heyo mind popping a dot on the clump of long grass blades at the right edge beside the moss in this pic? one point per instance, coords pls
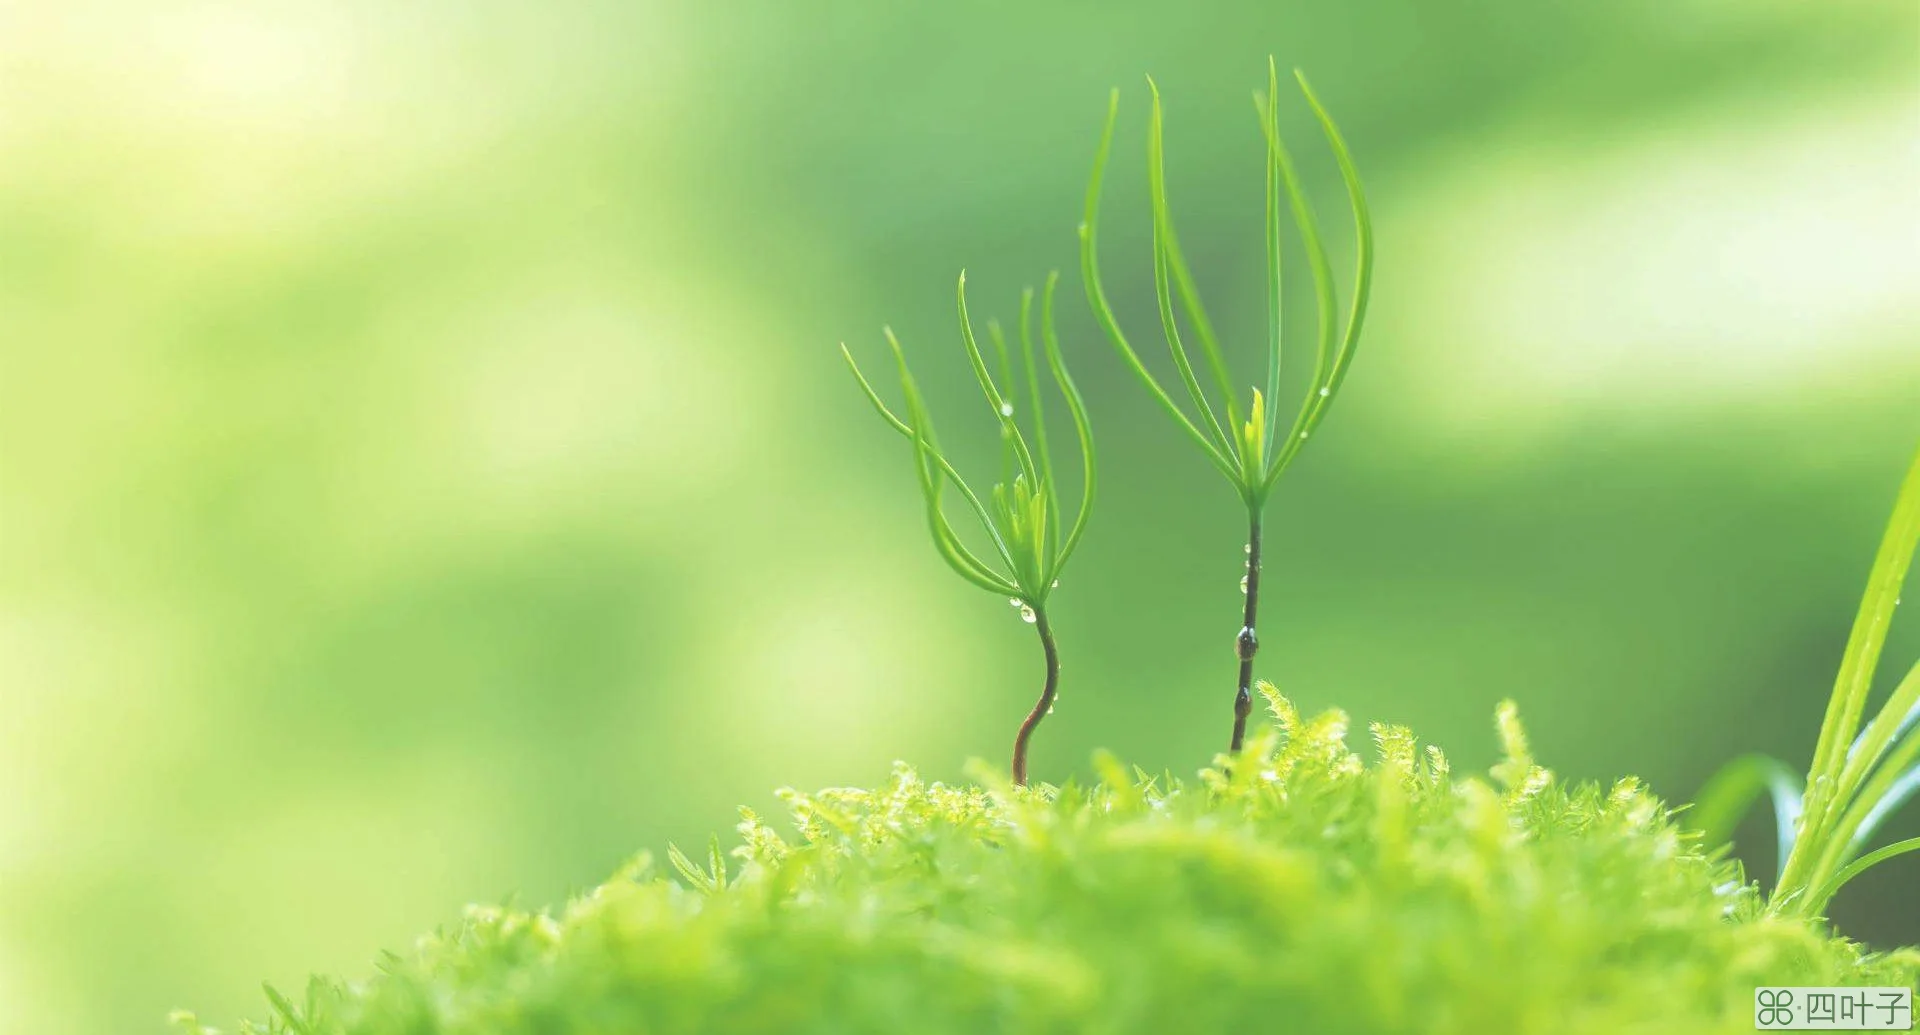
(1858, 777)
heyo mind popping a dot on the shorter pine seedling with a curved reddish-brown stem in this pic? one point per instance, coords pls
(1024, 521)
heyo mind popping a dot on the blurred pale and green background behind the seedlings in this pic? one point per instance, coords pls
(427, 471)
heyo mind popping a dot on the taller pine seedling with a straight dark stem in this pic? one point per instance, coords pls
(1251, 454)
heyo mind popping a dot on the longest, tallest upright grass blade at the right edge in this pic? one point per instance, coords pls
(1863, 652)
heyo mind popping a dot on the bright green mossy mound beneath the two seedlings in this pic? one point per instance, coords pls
(1301, 890)
